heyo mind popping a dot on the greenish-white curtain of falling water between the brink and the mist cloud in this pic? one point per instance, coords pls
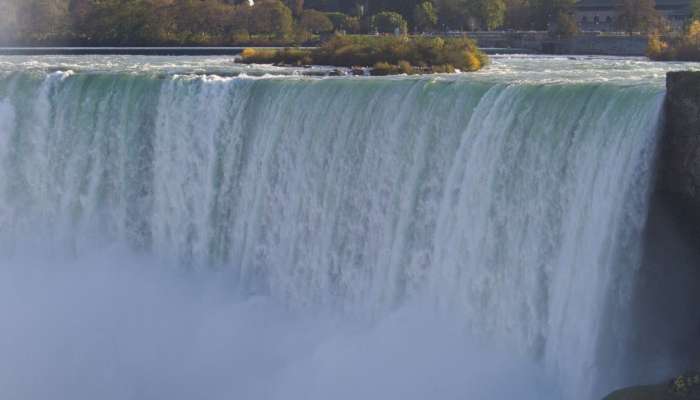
(515, 208)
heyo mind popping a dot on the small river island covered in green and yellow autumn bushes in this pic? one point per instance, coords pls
(385, 55)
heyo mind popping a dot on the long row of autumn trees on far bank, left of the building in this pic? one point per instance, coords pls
(220, 22)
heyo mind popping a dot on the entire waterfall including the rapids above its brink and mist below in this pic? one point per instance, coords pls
(181, 232)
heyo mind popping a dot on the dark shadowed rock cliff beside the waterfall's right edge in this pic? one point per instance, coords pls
(668, 283)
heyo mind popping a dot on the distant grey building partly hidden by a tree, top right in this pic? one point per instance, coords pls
(601, 15)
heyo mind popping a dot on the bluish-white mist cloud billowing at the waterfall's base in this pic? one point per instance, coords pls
(119, 326)
